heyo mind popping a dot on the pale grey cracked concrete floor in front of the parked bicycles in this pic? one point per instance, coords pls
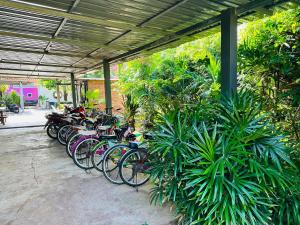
(40, 185)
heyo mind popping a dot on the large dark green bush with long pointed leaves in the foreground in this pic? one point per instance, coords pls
(230, 169)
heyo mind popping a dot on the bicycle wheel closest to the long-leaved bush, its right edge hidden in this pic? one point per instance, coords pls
(133, 167)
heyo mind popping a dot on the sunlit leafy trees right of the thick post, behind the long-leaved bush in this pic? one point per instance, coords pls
(270, 64)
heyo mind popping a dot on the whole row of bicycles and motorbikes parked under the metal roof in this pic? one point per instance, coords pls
(99, 141)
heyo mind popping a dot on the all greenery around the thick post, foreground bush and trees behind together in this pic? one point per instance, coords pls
(229, 163)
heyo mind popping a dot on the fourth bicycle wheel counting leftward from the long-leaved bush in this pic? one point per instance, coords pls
(82, 153)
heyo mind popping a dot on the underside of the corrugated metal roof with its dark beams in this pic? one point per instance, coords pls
(53, 38)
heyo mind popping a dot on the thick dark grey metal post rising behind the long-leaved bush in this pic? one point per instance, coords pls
(228, 52)
